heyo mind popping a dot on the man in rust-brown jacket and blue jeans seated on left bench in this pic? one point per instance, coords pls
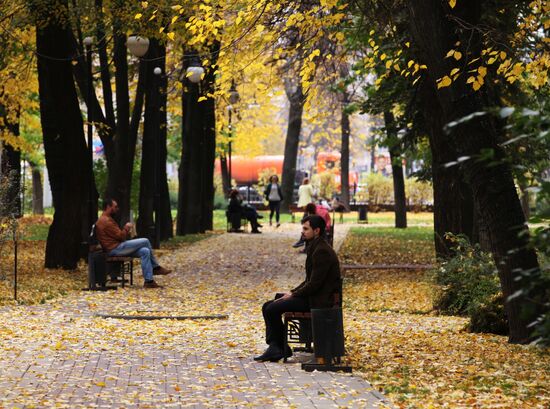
(114, 242)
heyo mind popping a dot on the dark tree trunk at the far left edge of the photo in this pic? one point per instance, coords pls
(11, 167)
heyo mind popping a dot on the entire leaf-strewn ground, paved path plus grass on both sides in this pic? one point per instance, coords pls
(393, 337)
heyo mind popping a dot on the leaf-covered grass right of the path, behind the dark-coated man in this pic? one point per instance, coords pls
(418, 358)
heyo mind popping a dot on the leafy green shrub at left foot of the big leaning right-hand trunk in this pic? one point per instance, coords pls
(468, 285)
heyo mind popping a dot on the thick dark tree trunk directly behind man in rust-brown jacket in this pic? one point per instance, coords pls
(67, 159)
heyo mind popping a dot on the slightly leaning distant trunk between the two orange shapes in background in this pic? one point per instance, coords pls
(296, 99)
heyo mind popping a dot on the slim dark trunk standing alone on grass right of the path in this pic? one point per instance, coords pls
(399, 199)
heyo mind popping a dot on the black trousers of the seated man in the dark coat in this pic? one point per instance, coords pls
(273, 311)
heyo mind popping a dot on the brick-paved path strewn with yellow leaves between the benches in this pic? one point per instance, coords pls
(62, 355)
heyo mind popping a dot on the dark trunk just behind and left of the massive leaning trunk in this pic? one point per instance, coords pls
(453, 198)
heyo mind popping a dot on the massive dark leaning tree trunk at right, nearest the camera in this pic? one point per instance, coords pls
(492, 183)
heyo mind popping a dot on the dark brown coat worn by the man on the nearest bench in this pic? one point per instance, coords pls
(322, 275)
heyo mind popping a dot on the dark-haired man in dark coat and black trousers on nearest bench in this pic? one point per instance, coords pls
(317, 291)
